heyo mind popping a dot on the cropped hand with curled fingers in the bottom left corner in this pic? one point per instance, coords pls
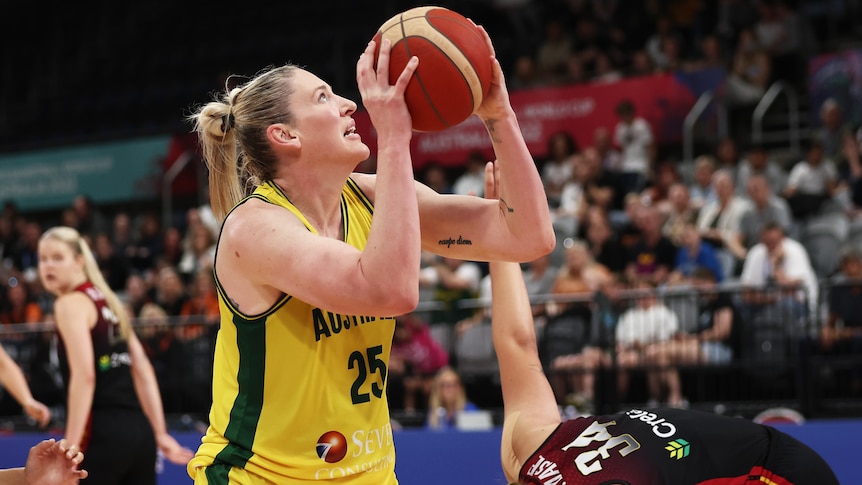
(54, 463)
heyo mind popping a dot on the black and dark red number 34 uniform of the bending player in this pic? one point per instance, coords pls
(675, 447)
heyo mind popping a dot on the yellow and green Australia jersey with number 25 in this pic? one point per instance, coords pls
(299, 393)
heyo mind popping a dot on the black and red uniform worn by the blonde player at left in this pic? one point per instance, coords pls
(119, 445)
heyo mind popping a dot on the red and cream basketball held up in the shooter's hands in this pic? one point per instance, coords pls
(454, 71)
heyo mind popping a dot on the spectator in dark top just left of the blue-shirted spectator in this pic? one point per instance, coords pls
(653, 257)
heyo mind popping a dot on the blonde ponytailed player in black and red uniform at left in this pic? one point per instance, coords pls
(114, 410)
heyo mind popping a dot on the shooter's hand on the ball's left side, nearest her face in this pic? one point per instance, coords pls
(384, 101)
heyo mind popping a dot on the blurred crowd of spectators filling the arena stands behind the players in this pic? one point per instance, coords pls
(631, 222)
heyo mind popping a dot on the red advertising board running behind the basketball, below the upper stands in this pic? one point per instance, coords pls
(664, 100)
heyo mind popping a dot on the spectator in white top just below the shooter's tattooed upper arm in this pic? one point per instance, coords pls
(452, 280)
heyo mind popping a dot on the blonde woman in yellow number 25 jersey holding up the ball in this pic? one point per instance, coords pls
(315, 264)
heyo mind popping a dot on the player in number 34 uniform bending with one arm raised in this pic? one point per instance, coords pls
(658, 446)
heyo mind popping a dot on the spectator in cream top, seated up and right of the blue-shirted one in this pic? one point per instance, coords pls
(718, 222)
